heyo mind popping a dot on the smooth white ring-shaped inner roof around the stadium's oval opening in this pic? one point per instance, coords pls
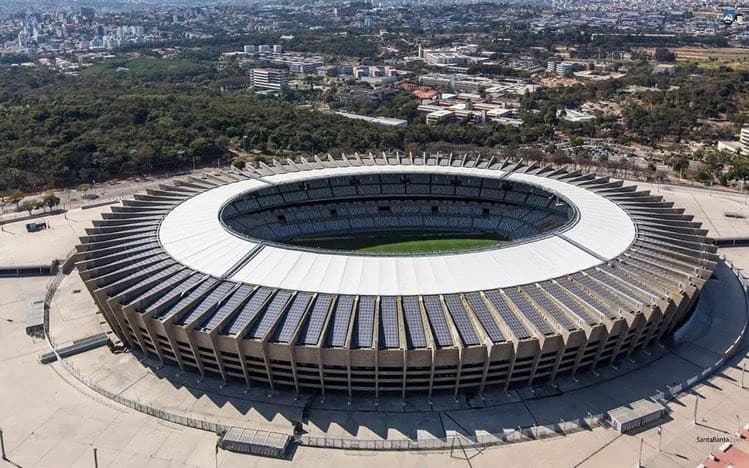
(193, 235)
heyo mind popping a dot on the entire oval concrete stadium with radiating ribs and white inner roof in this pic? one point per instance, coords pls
(394, 273)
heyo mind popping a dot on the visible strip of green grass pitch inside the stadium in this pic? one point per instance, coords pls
(406, 243)
